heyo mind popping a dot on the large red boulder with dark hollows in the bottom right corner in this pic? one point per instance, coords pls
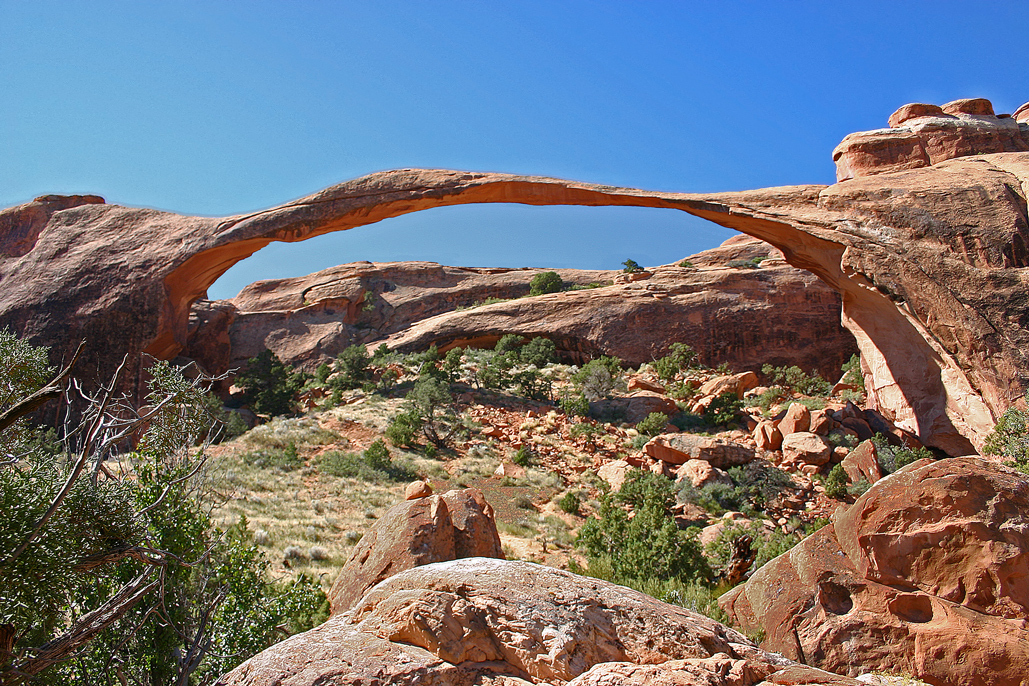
(924, 575)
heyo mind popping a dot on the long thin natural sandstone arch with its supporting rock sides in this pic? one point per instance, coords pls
(931, 264)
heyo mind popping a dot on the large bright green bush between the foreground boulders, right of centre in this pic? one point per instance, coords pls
(649, 546)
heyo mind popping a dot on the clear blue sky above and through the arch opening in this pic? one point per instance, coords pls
(219, 109)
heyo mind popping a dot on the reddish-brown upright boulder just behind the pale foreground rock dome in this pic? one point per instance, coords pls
(416, 532)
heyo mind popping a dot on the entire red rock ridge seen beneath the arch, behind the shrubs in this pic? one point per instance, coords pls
(778, 314)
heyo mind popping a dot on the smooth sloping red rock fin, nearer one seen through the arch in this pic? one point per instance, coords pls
(777, 315)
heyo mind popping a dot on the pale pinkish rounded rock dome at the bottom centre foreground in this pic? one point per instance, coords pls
(491, 622)
